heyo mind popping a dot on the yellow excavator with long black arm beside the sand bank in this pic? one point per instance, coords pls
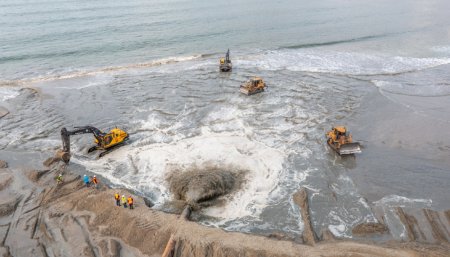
(103, 141)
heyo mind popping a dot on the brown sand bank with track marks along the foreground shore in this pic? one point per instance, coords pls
(41, 218)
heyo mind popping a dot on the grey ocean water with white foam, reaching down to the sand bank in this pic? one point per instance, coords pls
(150, 67)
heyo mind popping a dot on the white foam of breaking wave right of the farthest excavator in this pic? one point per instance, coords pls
(349, 63)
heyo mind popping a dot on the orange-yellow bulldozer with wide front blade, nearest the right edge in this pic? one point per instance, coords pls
(340, 140)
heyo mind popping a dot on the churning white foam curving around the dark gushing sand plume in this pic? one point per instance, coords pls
(154, 161)
